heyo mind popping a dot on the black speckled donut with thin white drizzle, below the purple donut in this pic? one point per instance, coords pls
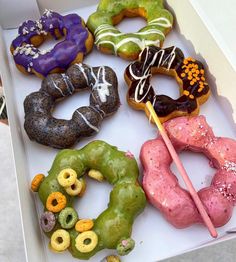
(42, 127)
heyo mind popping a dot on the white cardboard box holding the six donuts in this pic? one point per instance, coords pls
(127, 129)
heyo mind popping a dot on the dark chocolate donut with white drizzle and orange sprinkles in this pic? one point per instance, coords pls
(188, 72)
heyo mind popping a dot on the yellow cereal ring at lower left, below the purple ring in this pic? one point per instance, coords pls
(60, 240)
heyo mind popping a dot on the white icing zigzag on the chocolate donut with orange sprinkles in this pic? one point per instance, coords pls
(139, 90)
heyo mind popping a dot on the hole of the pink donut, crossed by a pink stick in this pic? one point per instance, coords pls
(198, 168)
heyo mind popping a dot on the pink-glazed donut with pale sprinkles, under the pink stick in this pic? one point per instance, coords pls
(161, 185)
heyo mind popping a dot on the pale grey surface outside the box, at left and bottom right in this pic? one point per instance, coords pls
(11, 238)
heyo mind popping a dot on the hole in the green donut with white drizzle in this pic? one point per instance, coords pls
(135, 24)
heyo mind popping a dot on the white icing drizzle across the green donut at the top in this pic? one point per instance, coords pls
(141, 43)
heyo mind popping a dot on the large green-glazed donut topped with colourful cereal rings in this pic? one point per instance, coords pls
(113, 226)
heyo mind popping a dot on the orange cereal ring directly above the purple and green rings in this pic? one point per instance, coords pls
(56, 201)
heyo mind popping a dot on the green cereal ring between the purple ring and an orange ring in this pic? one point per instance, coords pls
(68, 217)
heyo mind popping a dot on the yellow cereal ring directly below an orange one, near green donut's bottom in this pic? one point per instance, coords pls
(85, 242)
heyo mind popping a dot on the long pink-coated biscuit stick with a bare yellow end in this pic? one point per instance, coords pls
(182, 172)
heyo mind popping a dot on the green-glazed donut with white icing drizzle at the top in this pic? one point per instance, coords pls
(110, 12)
